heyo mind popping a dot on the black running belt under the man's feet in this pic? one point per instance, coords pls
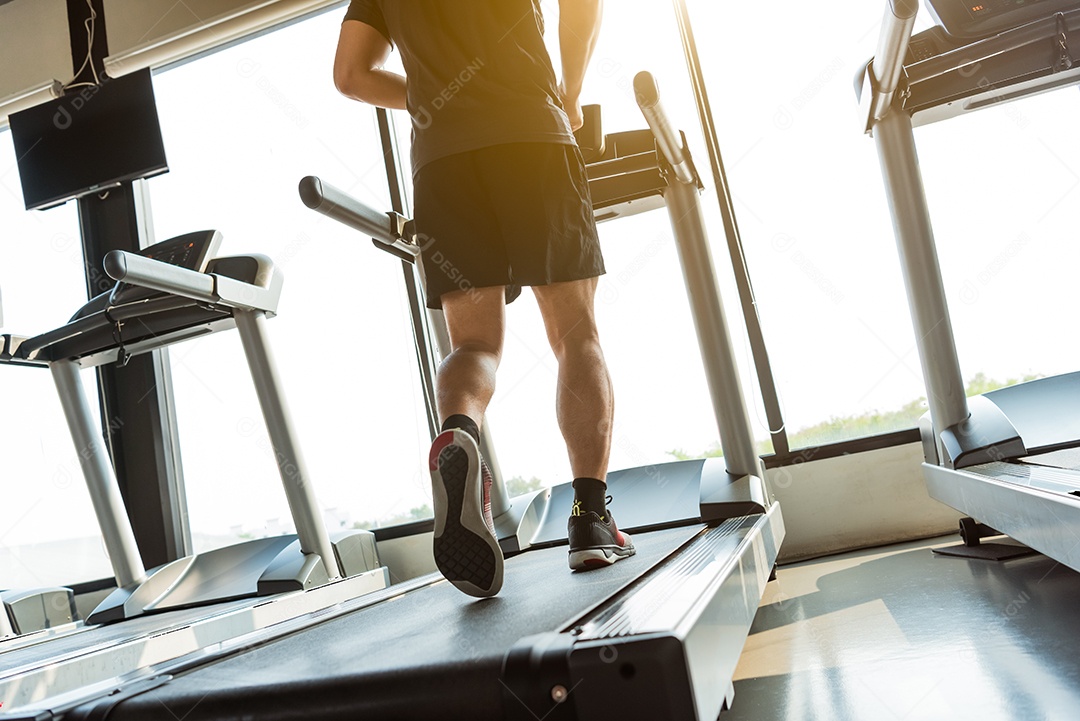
(434, 654)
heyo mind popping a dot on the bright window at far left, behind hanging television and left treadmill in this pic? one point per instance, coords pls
(49, 535)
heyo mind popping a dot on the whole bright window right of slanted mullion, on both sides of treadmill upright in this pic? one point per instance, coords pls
(818, 236)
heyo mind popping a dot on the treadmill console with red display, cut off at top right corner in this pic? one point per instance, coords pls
(971, 20)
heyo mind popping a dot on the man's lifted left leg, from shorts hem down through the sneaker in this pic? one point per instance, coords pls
(466, 550)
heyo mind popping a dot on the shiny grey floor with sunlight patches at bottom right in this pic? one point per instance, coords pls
(900, 633)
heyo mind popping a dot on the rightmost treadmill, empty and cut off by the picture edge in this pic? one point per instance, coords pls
(1010, 458)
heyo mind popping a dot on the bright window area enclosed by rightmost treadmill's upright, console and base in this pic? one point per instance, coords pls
(1003, 186)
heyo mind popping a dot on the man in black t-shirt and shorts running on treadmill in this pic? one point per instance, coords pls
(502, 202)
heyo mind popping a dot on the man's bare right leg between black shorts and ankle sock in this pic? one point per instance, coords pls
(585, 403)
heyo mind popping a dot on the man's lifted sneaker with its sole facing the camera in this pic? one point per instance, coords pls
(466, 549)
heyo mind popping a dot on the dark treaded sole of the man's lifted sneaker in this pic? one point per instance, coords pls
(466, 553)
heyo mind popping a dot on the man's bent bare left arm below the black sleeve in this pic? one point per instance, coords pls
(358, 67)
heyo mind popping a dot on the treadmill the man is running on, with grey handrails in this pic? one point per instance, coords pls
(659, 633)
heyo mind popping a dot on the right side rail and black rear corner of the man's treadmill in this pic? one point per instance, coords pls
(683, 627)
